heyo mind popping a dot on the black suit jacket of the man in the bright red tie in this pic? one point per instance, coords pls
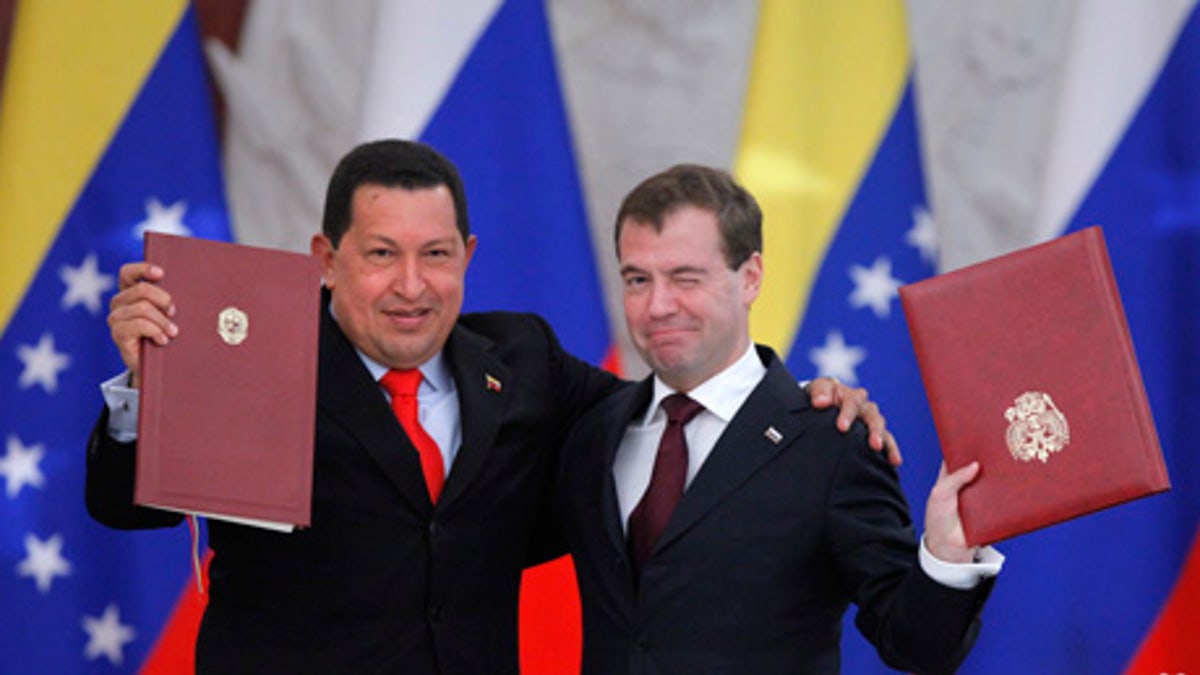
(383, 582)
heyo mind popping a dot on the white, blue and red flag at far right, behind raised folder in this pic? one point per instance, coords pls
(1084, 596)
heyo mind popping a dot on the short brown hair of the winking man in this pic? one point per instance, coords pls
(739, 217)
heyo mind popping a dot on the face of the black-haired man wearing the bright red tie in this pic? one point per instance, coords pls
(397, 279)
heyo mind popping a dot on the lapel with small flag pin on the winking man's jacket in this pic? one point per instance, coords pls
(763, 428)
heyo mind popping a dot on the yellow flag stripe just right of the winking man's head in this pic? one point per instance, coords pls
(825, 85)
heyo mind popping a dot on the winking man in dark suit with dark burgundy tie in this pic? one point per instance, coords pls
(739, 547)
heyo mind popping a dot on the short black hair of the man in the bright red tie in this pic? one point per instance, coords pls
(391, 164)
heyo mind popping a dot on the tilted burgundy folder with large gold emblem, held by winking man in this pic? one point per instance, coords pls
(1030, 369)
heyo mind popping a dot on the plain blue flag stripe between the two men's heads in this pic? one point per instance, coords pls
(505, 126)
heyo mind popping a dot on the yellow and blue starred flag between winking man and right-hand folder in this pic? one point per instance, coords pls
(830, 148)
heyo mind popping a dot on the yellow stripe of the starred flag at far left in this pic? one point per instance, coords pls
(75, 69)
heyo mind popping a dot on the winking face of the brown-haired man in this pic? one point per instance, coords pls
(687, 312)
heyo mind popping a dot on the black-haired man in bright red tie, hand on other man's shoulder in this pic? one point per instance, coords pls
(395, 575)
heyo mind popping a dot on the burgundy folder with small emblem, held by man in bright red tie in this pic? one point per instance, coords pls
(227, 409)
